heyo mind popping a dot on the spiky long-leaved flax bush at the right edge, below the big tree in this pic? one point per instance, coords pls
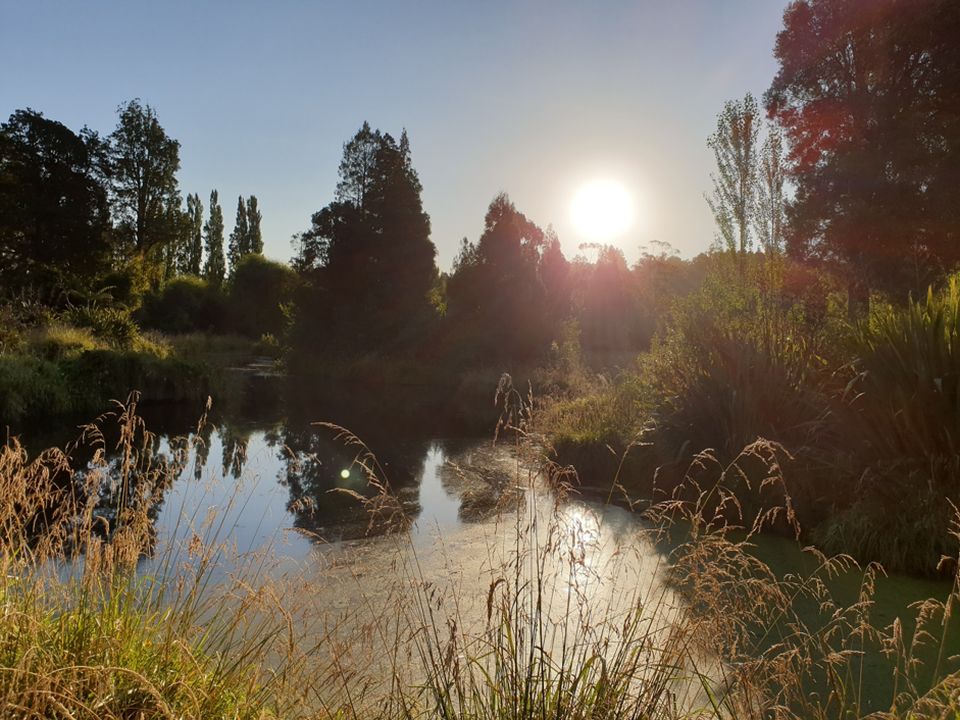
(901, 428)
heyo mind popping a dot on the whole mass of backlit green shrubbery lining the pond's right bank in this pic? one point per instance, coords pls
(869, 412)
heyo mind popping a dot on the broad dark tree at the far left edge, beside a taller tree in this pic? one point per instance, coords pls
(54, 214)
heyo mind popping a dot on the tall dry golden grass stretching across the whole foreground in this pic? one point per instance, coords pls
(568, 613)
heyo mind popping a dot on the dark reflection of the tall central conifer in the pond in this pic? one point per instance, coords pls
(316, 465)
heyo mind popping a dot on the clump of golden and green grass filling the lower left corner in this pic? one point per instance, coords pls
(106, 643)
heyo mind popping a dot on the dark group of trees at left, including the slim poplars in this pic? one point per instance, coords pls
(78, 211)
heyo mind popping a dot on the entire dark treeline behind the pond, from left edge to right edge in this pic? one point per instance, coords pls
(861, 121)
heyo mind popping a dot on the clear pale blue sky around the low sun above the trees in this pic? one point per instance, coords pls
(533, 98)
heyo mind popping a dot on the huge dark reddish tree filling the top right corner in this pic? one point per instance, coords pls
(867, 94)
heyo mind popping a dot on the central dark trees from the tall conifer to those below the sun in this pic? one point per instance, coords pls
(371, 285)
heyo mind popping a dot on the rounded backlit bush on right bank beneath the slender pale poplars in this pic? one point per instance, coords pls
(735, 365)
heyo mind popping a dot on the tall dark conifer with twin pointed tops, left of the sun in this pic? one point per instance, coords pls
(368, 254)
